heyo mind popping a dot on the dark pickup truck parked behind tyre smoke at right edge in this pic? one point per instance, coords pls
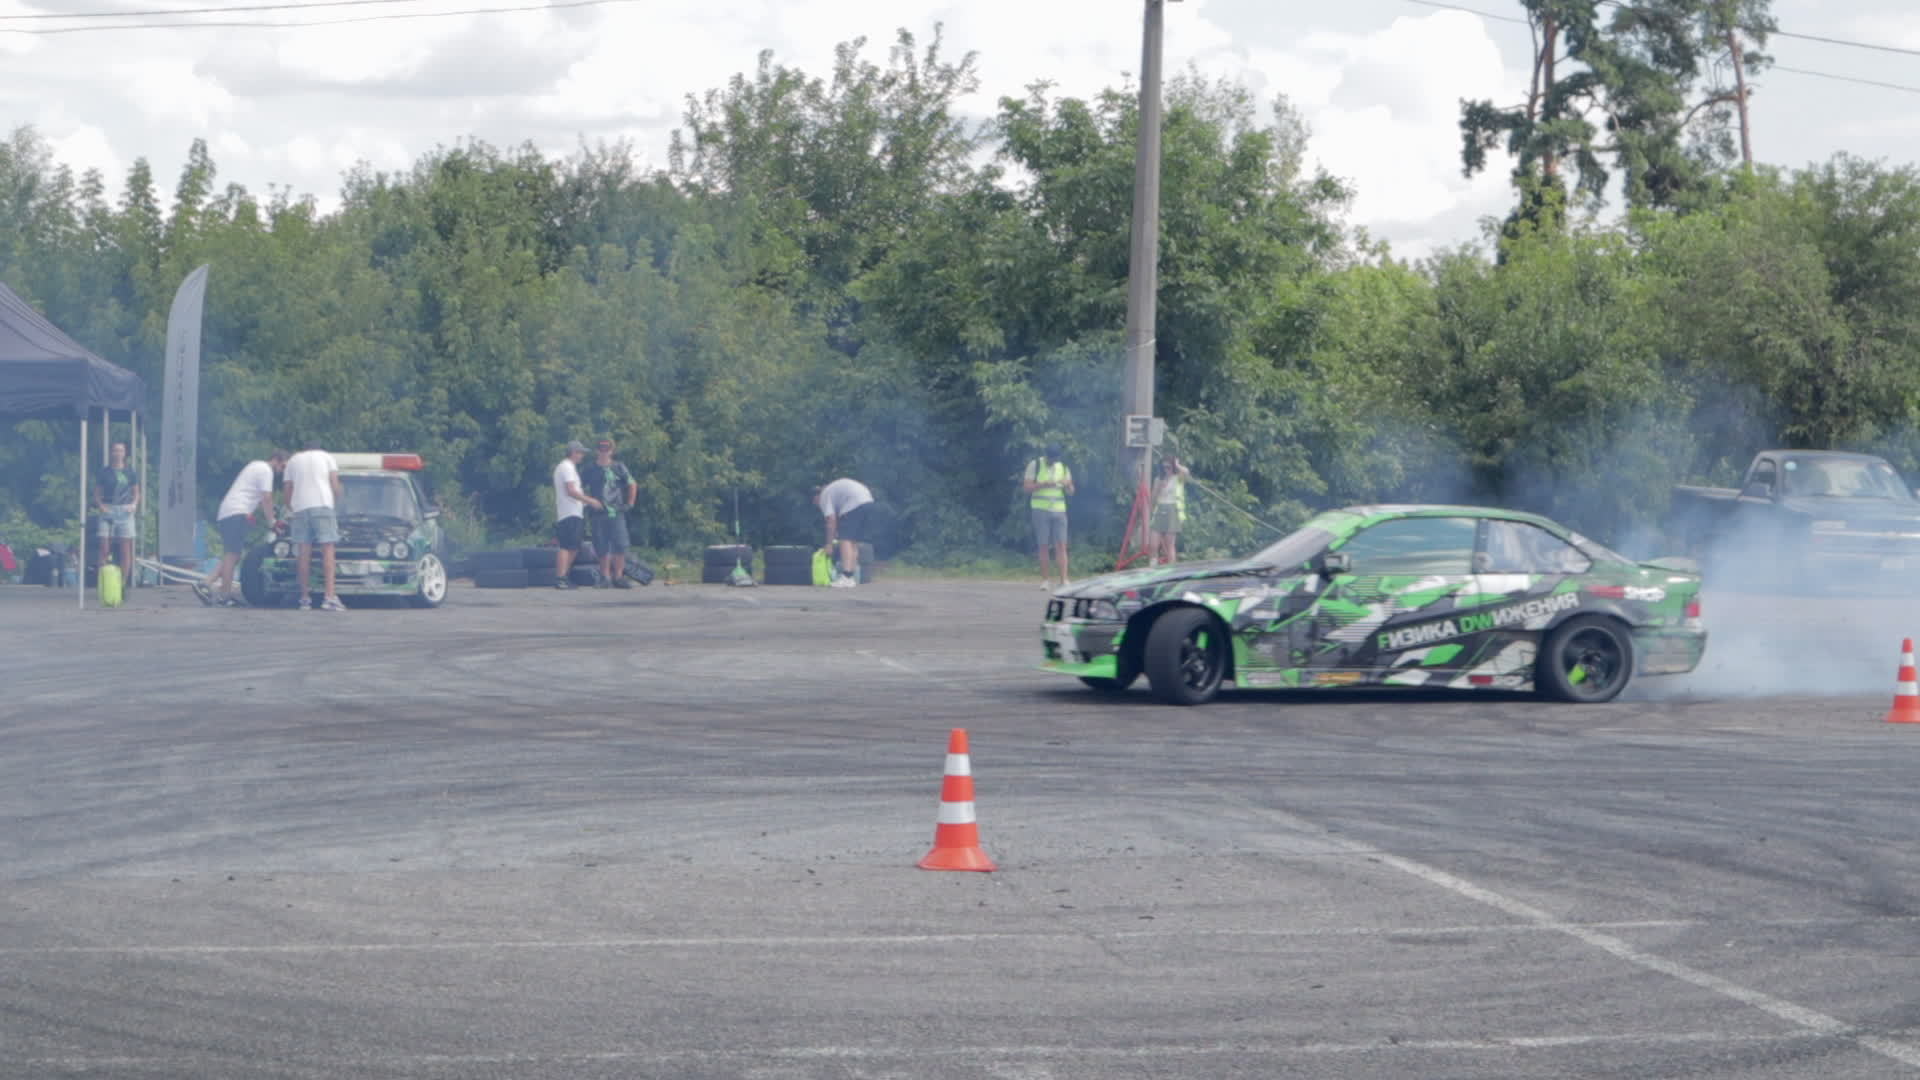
(1804, 518)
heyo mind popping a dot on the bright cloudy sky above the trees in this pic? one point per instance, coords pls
(1380, 82)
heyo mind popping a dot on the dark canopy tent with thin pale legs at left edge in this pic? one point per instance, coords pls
(49, 376)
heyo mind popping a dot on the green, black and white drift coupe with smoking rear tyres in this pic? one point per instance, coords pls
(1437, 597)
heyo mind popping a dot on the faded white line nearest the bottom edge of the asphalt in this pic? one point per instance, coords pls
(1257, 1048)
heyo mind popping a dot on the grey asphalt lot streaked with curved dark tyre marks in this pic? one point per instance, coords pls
(673, 833)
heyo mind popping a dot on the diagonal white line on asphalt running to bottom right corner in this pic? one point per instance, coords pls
(1812, 1019)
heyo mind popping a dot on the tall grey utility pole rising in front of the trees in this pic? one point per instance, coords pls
(1143, 260)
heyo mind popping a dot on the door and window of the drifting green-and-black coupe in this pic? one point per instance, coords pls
(1403, 576)
